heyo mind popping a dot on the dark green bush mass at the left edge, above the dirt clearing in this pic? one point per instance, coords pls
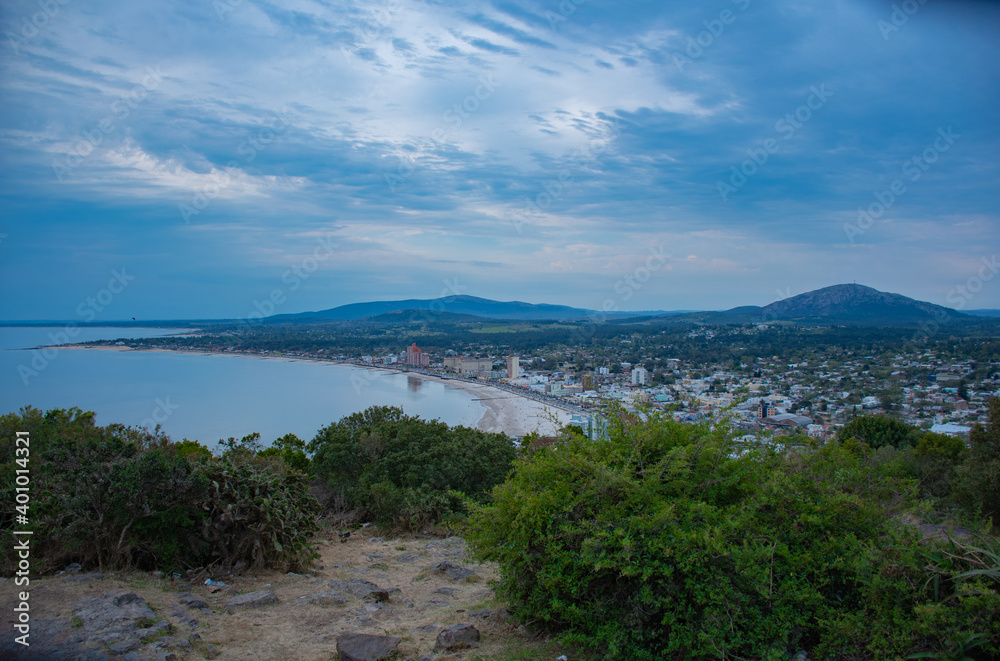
(121, 497)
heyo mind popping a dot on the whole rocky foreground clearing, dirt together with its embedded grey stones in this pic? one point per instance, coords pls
(420, 597)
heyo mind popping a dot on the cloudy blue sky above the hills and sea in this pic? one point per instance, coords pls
(230, 158)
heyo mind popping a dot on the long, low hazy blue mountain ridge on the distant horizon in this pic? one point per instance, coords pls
(460, 305)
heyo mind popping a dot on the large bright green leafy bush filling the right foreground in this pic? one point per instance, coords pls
(667, 541)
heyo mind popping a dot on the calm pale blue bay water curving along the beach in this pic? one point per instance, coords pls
(203, 397)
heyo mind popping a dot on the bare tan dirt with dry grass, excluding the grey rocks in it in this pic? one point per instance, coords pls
(426, 601)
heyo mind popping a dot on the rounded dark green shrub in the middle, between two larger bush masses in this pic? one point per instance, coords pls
(404, 471)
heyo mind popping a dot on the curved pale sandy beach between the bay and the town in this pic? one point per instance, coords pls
(504, 411)
